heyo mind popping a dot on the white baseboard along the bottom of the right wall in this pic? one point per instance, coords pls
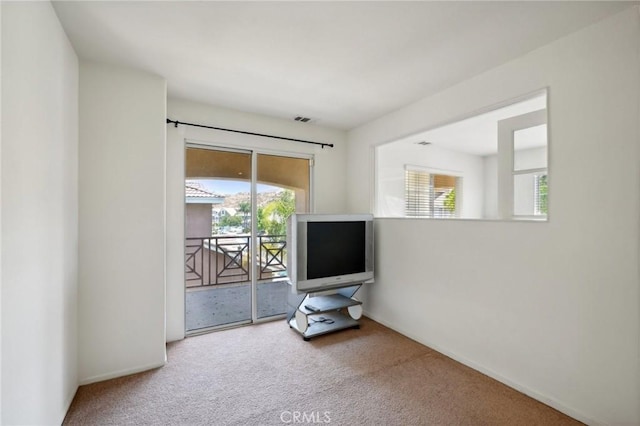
(551, 402)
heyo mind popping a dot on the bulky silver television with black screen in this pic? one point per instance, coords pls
(328, 251)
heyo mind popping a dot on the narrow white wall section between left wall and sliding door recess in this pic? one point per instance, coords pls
(122, 221)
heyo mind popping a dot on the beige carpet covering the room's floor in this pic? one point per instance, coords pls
(267, 375)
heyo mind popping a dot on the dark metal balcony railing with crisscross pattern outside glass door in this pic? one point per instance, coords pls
(225, 259)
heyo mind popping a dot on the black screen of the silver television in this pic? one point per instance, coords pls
(335, 248)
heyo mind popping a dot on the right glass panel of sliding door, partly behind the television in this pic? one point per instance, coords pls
(282, 188)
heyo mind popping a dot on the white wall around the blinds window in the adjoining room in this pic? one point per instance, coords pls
(391, 161)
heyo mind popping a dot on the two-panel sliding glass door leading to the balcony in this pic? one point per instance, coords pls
(236, 206)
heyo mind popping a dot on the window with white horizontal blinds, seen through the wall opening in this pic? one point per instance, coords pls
(430, 195)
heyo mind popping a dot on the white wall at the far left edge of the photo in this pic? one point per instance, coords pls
(39, 215)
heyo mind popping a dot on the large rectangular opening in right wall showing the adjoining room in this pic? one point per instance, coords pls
(500, 155)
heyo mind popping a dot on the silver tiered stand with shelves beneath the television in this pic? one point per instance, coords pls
(315, 315)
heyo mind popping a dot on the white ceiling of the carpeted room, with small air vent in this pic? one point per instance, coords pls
(340, 63)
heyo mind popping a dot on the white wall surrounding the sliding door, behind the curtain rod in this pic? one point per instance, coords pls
(329, 174)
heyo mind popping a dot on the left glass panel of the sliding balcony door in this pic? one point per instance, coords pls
(218, 277)
